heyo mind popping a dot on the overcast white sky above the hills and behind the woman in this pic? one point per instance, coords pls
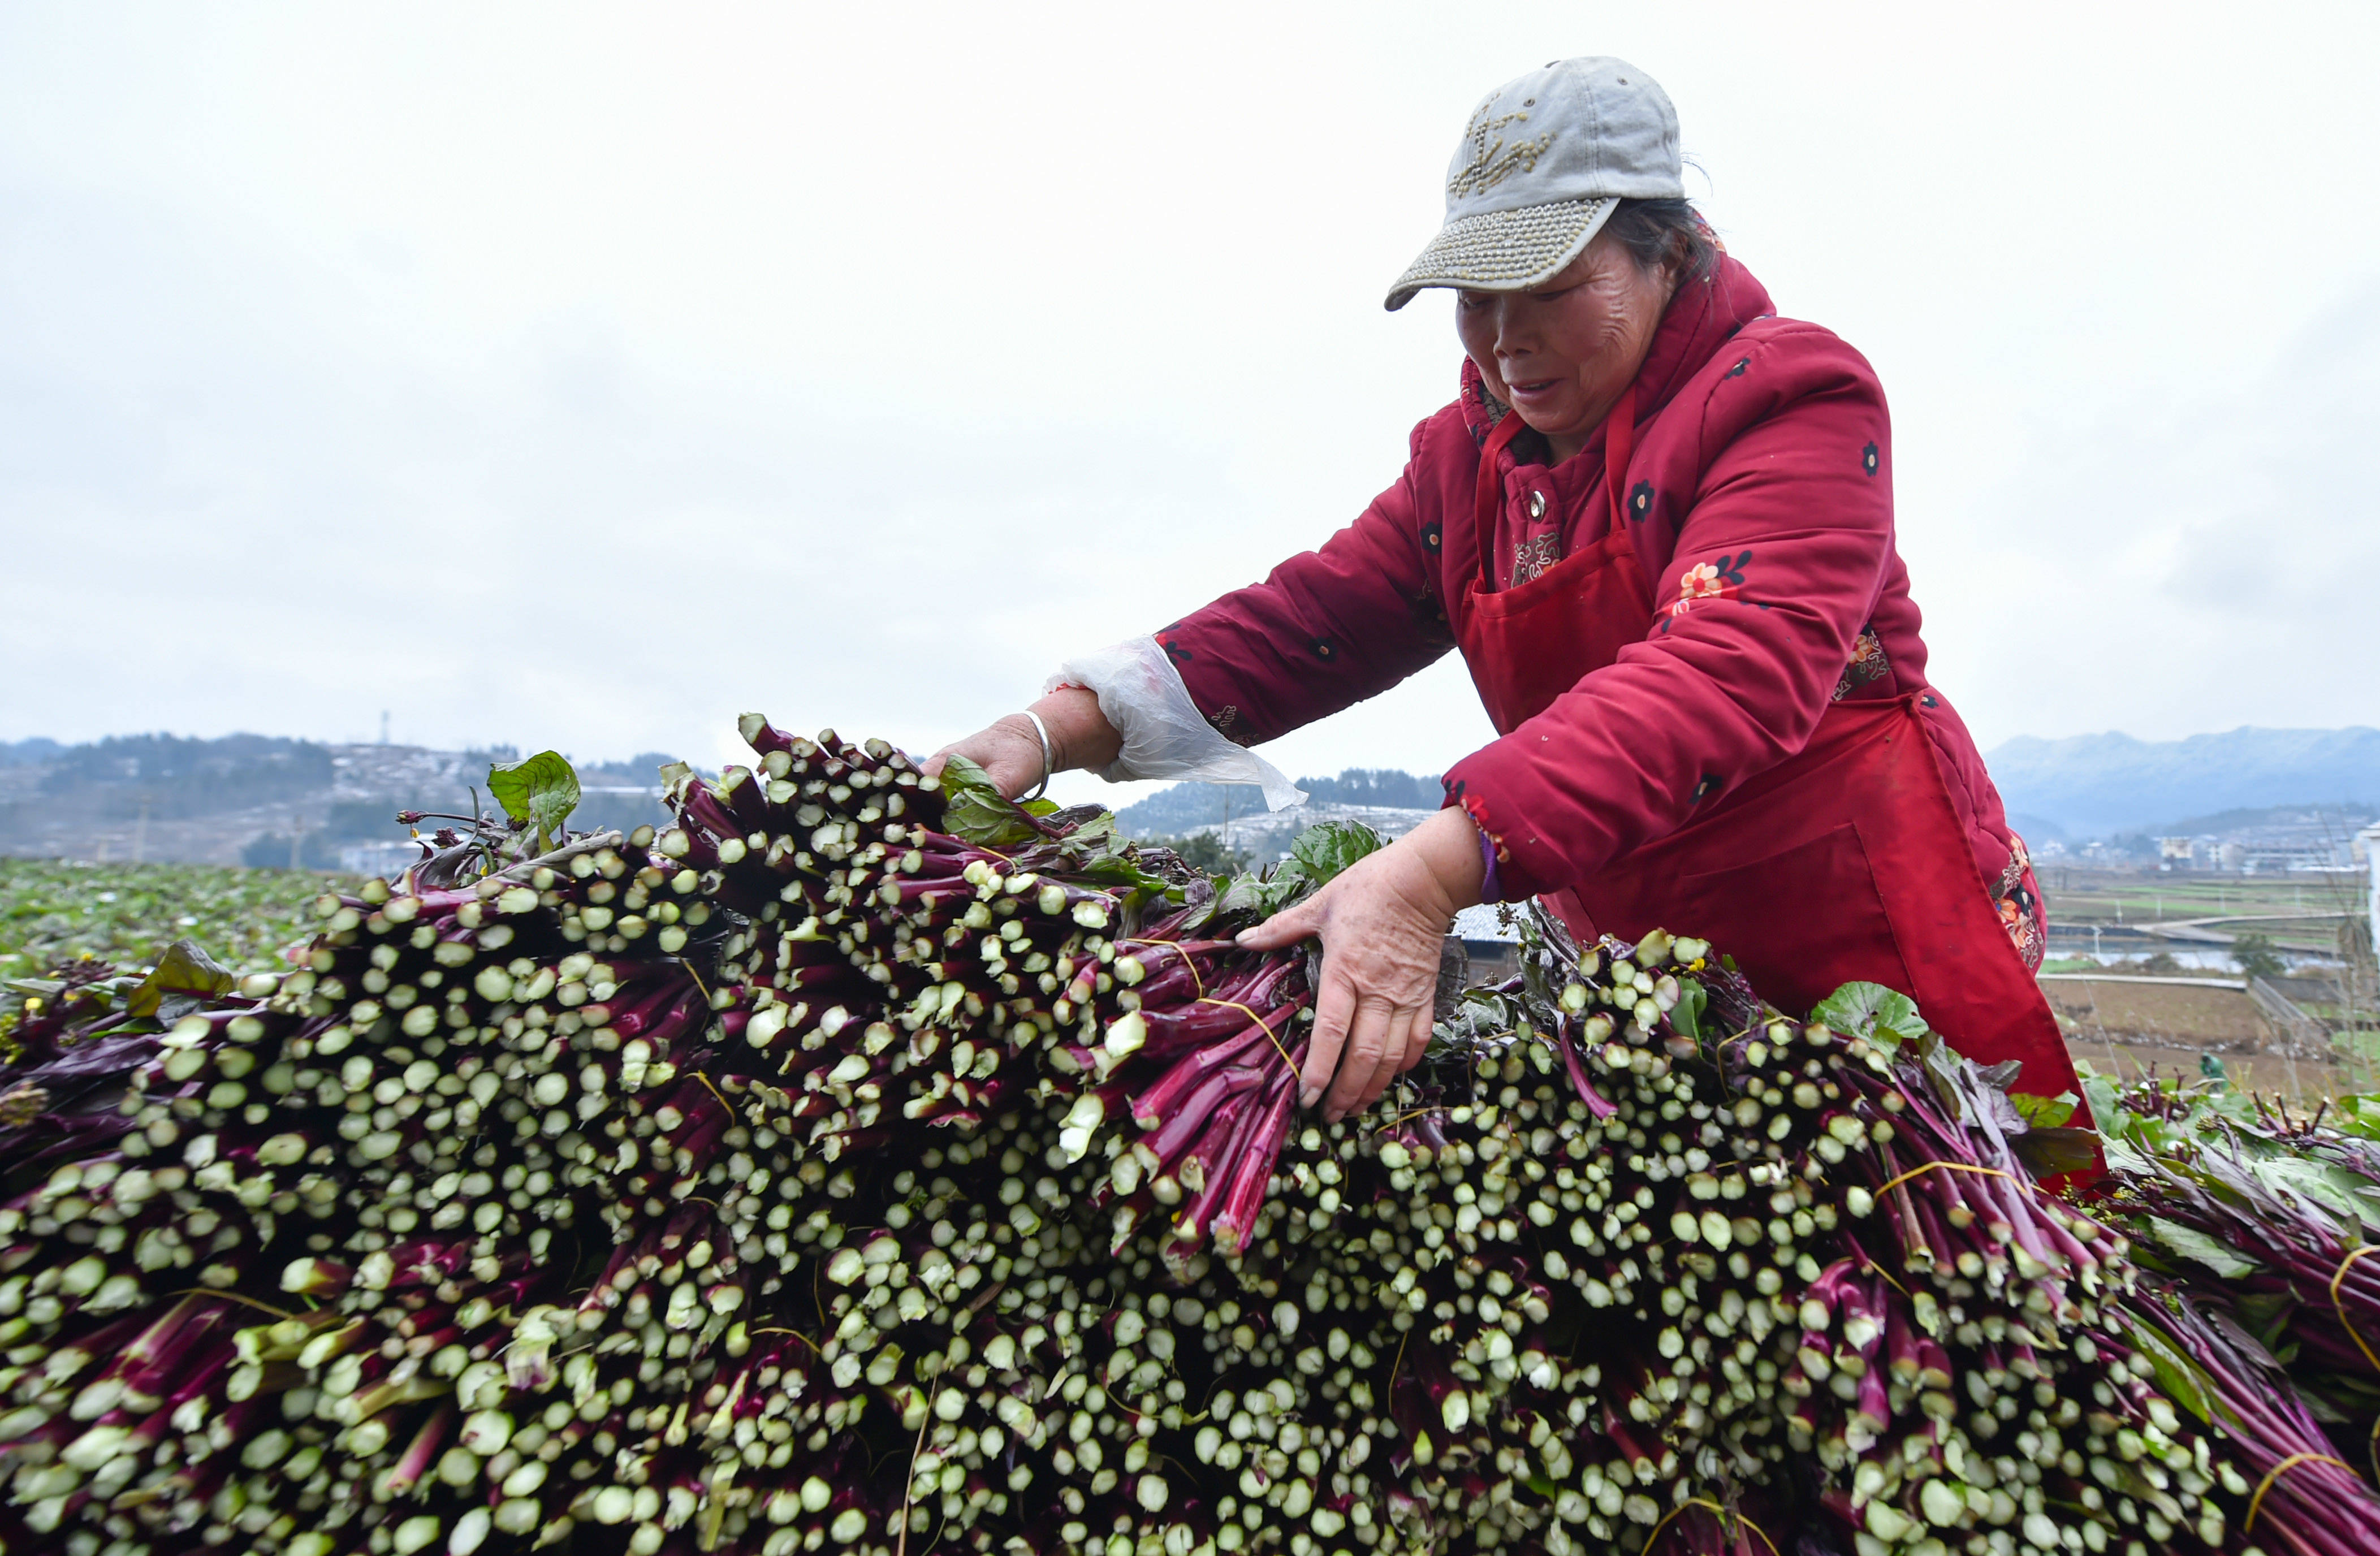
(582, 377)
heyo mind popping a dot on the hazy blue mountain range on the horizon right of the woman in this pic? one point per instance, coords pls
(2096, 786)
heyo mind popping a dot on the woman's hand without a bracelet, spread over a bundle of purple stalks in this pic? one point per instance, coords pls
(1384, 927)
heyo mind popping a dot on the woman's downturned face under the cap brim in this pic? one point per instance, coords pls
(1562, 353)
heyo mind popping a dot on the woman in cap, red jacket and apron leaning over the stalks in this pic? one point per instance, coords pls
(1658, 525)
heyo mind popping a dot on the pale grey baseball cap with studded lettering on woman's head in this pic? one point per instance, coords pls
(1541, 165)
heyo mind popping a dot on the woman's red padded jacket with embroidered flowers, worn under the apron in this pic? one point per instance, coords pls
(1762, 513)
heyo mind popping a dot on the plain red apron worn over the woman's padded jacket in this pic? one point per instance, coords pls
(1843, 862)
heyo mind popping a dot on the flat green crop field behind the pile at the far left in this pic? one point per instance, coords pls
(132, 912)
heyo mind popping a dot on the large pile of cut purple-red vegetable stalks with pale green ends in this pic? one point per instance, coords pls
(868, 1165)
